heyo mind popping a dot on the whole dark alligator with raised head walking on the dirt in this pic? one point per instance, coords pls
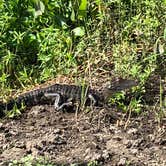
(65, 95)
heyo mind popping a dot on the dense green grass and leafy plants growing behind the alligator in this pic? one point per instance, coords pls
(85, 40)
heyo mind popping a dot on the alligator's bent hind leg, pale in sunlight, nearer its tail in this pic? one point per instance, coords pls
(57, 101)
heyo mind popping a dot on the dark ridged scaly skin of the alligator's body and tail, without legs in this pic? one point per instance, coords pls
(36, 97)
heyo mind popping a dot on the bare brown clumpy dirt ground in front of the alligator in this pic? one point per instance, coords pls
(65, 138)
